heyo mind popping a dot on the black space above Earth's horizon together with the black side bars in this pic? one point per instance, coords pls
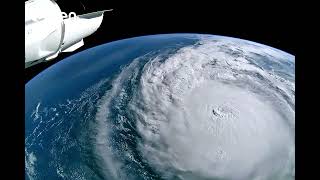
(275, 24)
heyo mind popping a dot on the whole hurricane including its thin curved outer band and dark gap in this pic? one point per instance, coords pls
(213, 110)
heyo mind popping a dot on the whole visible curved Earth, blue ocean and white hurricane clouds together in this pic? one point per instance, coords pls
(175, 106)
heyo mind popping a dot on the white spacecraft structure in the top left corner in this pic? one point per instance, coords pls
(48, 32)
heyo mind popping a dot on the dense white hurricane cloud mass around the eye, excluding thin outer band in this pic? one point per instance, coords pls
(201, 114)
